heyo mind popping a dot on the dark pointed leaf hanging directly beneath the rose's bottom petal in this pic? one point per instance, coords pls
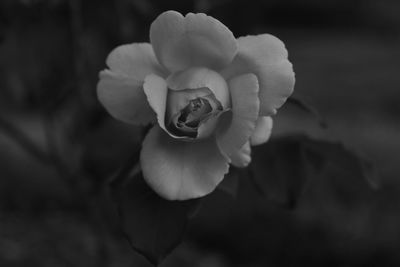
(153, 226)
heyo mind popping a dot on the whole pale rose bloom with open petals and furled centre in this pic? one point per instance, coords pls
(209, 95)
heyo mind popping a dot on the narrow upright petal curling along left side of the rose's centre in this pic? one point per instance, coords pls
(156, 91)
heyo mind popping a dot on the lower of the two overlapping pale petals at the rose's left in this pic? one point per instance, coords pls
(124, 98)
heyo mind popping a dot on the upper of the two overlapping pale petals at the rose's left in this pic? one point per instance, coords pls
(135, 61)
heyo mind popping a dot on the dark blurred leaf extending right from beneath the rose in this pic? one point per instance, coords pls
(284, 166)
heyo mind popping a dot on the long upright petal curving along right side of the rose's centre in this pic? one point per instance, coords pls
(236, 131)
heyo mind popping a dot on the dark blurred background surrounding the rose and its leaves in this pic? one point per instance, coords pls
(57, 145)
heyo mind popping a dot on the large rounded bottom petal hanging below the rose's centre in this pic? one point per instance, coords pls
(179, 170)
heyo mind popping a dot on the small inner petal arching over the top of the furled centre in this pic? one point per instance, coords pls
(195, 78)
